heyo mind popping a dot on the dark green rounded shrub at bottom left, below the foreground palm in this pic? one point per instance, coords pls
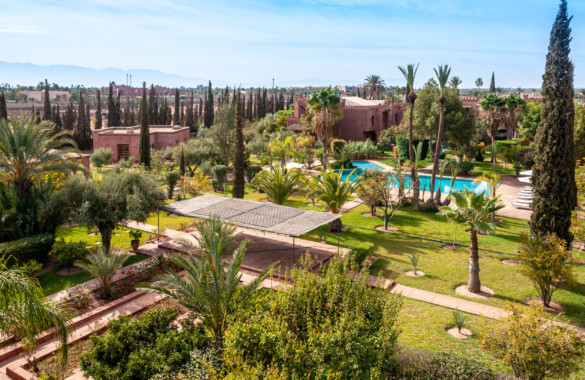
(142, 348)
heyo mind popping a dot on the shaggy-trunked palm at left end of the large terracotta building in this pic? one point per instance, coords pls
(326, 105)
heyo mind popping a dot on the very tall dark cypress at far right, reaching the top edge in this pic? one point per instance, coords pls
(553, 173)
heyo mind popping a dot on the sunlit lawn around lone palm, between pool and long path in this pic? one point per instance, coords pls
(446, 269)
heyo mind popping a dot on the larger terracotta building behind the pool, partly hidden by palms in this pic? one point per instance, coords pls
(362, 119)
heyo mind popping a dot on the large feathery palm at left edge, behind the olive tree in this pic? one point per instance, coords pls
(28, 150)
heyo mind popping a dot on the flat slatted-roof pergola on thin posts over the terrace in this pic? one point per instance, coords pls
(283, 220)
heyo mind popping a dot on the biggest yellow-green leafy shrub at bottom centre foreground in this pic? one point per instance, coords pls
(324, 327)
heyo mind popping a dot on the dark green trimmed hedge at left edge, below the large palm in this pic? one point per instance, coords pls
(29, 248)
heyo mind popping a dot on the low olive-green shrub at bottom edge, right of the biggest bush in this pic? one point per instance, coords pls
(421, 364)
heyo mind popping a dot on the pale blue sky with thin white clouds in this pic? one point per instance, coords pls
(295, 42)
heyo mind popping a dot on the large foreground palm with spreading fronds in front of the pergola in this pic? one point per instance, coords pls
(209, 288)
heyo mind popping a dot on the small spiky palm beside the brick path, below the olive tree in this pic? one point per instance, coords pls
(102, 265)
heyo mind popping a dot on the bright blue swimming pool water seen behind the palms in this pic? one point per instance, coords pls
(425, 180)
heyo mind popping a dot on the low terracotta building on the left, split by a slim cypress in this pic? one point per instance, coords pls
(125, 141)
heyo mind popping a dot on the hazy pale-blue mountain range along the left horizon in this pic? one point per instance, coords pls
(30, 75)
